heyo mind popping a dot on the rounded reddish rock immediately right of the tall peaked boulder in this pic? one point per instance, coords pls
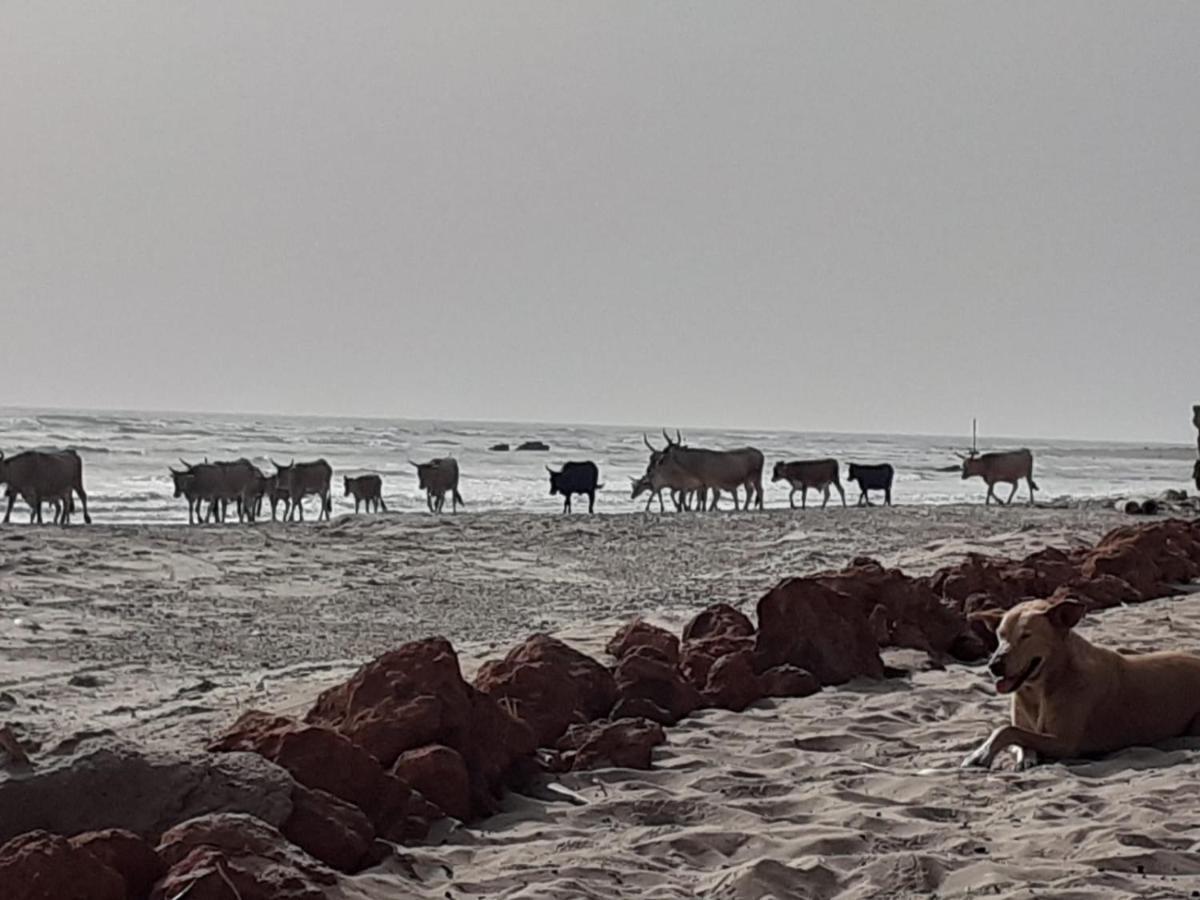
(549, 686)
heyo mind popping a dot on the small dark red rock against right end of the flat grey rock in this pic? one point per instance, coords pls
(331, 830)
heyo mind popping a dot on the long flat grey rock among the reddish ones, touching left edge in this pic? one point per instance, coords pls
(74, 791)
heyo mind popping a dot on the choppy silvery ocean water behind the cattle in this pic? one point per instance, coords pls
(128, 455)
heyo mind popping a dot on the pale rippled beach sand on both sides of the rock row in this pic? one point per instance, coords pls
(166, 634)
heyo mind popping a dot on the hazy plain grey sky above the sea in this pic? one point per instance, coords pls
(839, 217)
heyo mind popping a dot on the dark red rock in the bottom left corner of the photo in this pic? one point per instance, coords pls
(46, 867)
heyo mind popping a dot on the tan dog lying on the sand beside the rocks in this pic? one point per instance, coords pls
(1072, 699)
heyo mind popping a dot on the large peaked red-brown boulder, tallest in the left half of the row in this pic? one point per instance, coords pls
(415, 697)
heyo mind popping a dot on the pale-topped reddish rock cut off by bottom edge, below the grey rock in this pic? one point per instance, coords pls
(208, 855)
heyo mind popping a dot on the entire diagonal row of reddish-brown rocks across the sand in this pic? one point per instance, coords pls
(289, 807)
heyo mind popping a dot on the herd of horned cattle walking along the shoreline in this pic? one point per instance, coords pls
(693, 479)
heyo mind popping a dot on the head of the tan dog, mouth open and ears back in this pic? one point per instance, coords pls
(1030, 637)
